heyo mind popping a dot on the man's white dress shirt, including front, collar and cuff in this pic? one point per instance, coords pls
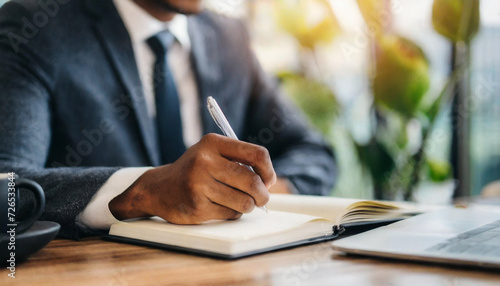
(142, 26)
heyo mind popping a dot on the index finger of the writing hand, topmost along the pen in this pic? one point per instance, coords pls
(248, 154)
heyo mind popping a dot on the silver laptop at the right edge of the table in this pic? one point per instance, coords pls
(453, 236)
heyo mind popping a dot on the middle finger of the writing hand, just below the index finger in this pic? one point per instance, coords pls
(238, 177)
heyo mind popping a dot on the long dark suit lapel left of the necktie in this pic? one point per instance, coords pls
(116, 41)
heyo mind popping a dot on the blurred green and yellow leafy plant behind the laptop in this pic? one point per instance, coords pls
(400, 80)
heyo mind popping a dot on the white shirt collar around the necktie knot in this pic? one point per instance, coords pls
(141, 25)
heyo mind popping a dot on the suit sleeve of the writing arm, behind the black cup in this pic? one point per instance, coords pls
(25, 129)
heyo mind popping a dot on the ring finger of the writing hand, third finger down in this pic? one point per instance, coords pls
(231, 198)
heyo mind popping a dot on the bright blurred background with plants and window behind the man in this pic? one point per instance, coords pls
(406, 91)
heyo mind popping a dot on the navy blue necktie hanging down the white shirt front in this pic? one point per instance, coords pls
(168, 114)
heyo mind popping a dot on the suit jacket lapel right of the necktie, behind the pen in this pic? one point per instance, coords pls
(206, 64)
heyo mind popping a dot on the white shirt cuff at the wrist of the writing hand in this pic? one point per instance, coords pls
(96, 214)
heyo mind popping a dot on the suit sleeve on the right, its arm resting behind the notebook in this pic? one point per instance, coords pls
(298, 152)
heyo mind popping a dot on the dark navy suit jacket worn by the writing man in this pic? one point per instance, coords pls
(72, 110)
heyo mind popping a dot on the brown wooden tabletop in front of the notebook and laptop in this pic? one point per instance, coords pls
(93, 261)
